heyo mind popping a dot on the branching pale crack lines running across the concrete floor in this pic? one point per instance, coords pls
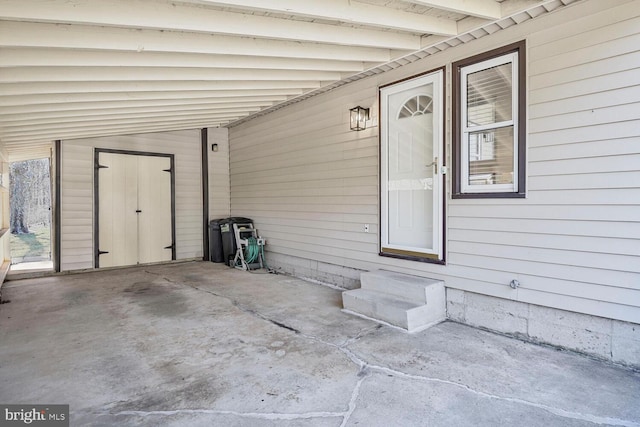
(364, 373)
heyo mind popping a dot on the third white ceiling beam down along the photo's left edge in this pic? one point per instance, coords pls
(52, 57)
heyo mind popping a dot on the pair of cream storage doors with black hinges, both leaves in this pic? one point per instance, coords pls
(134, 209)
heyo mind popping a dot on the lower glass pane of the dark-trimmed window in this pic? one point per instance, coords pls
(491, 156)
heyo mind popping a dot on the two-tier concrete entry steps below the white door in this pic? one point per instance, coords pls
(409, 302)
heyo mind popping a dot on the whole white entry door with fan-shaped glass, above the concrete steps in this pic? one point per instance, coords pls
(411, 157)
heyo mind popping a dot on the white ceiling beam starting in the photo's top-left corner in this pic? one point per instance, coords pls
(179, 17)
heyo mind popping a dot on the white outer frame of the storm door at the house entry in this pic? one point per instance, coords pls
(436, 254)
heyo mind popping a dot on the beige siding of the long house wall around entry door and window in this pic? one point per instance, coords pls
(311, 184)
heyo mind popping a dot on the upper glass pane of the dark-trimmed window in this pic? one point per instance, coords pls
(489, 96)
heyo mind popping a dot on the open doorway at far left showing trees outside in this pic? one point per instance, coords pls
(30, 214)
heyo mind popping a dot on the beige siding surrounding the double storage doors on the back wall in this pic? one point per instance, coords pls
(77, 191)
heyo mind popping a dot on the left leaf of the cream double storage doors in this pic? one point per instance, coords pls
(118, 222)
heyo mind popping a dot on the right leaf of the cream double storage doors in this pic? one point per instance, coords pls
(154, 202)
